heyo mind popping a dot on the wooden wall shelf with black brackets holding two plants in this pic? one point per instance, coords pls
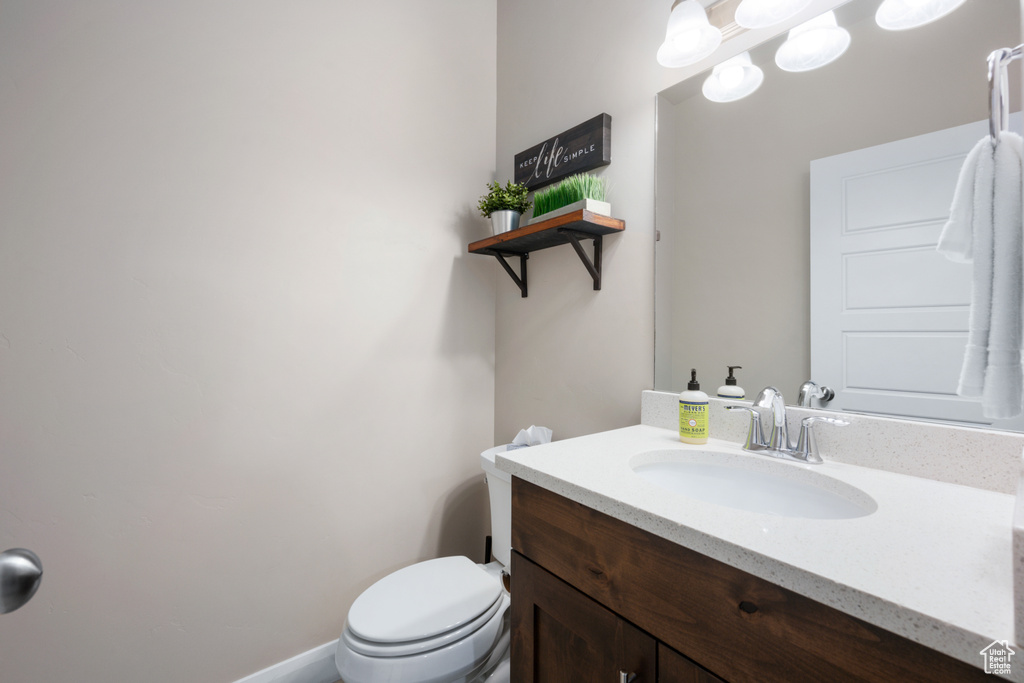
(569, 229)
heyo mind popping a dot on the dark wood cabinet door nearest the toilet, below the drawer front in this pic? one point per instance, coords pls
(560, 635)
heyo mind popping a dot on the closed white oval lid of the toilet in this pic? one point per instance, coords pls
(423, 601)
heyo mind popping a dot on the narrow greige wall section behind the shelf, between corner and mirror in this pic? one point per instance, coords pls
(567, 357)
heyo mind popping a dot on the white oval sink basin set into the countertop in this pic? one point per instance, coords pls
(754, 484)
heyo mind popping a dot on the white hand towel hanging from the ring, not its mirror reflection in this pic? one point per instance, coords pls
(1004, 394)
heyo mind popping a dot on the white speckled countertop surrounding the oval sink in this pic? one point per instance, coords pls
(933, 564)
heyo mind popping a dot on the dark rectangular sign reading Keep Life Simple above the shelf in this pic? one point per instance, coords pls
(580, 149)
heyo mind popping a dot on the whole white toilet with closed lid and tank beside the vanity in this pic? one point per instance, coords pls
(444, 621)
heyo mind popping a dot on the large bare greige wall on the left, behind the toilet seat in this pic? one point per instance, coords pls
(246, 364)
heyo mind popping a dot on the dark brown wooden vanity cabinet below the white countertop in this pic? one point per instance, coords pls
(594, 599)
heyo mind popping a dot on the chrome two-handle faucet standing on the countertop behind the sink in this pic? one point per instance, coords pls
(771, 405)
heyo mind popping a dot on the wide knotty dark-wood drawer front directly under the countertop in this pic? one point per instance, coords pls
(732, 623)
